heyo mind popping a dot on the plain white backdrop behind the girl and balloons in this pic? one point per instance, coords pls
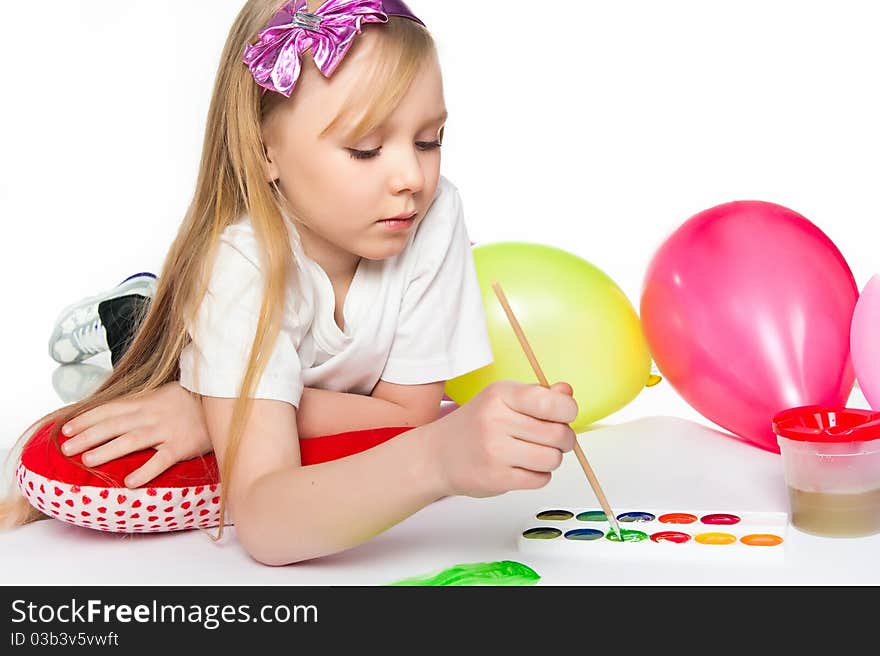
(597, 127)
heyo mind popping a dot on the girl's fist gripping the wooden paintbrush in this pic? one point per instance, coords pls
(509, 436)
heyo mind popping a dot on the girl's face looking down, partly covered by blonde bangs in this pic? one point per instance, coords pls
(341, 193)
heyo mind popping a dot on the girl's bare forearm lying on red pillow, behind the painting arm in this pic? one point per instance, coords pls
(322, 412)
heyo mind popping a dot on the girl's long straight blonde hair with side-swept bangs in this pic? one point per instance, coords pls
(232, 182)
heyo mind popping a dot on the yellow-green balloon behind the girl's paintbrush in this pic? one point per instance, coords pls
(581, 326)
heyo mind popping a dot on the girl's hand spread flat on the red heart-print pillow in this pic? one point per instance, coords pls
(168, 419)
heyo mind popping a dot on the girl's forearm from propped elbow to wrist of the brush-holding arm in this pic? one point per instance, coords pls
(302, 513)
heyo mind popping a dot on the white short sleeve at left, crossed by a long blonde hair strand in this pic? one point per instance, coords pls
(215, 361)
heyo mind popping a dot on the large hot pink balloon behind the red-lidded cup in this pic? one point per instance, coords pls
(747, 310)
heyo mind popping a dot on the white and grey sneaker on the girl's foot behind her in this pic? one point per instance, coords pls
(79, 332)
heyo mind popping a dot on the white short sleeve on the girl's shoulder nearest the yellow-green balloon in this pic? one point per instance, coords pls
(441, 332)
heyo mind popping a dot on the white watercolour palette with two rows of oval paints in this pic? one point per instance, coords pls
(670, 534)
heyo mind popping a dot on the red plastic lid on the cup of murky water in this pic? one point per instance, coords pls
(814, 423)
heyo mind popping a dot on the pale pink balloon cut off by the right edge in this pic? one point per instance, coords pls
(864, 343)
